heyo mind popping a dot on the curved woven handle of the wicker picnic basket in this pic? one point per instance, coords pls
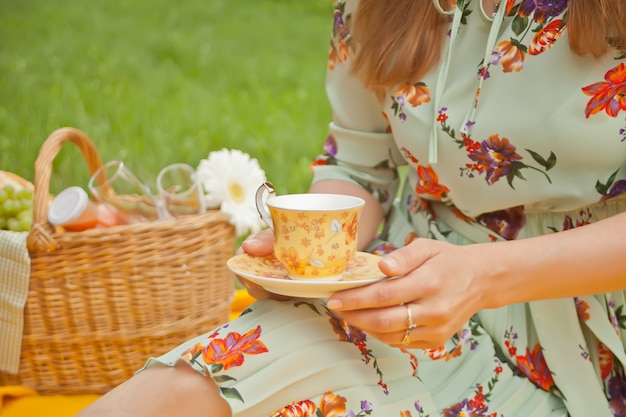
(40, 235)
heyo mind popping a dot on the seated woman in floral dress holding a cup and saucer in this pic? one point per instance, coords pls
(510, 118)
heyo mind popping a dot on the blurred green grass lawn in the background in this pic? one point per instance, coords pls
(154, 82)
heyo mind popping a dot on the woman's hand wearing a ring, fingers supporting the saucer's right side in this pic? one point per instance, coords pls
(439, 282)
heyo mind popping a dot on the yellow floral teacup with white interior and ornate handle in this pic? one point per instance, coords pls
(315, 235)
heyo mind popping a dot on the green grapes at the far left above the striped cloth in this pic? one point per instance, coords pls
(16, 208)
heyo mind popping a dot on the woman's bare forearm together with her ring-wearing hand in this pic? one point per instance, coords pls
(445, 284)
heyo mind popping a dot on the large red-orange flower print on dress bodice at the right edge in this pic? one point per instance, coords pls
(608, 95)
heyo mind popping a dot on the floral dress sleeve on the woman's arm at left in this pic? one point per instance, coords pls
(359, 148)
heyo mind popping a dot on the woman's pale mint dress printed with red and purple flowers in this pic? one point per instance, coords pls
(512, 136)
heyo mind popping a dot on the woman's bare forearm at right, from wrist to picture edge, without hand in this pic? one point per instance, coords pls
(582, 261)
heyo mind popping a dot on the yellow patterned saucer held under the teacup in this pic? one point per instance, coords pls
(270, 274)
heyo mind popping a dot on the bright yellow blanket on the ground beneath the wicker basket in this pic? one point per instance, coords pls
(16, 401)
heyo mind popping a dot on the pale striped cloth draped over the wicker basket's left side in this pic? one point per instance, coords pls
(14, 276)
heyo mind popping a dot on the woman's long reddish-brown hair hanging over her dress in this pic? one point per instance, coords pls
(398, 44)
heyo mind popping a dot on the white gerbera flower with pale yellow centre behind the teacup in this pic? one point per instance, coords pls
(230, 179)
